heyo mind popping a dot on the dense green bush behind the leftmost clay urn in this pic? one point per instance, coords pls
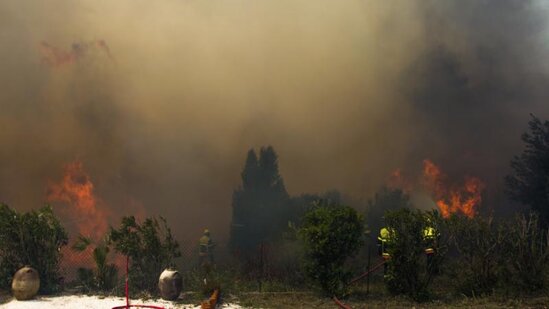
(33, 238)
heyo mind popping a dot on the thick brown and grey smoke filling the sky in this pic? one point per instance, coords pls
(165, 98)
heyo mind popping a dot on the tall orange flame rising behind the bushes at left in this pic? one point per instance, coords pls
(81, 205)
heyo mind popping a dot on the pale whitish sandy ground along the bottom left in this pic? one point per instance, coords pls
(83, 301)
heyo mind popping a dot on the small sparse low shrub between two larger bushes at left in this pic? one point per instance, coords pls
(104, 276)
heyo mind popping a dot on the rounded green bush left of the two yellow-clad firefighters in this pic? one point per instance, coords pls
(331, 233)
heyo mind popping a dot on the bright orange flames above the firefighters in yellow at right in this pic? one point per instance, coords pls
(464, 200)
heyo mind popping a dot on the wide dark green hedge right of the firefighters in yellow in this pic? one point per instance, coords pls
(506, 255)
